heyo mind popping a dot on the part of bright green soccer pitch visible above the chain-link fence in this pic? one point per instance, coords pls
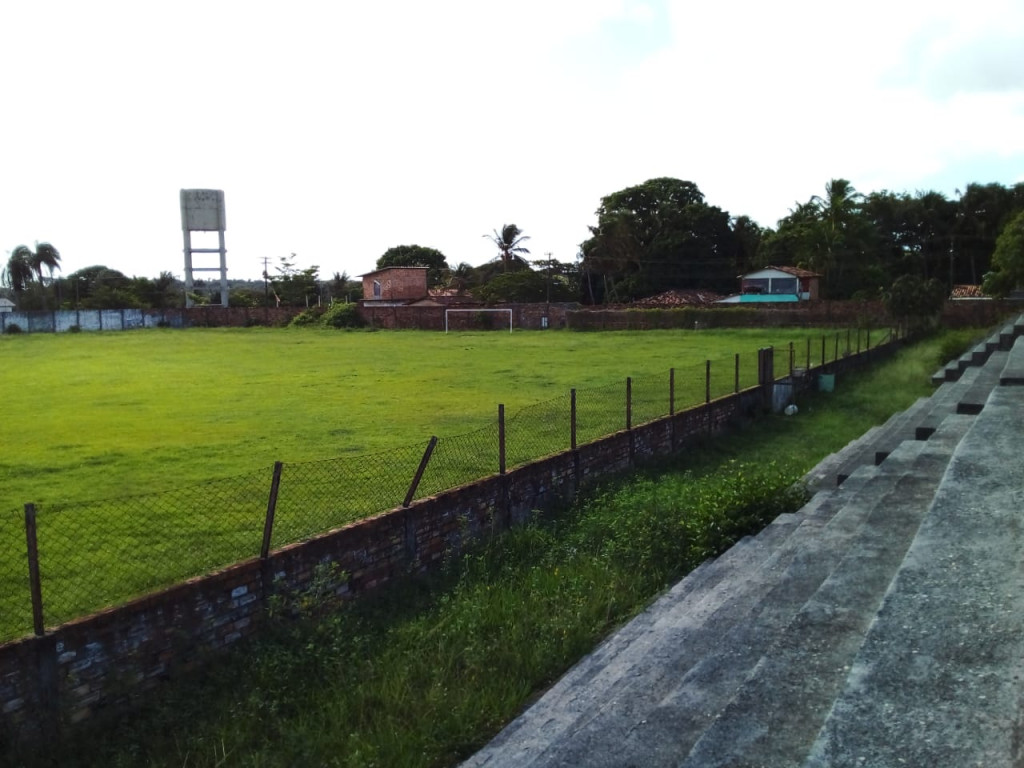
(93, 416)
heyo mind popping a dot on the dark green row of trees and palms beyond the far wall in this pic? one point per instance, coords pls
(649, 239)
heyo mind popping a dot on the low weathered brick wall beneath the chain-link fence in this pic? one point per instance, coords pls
(103, 663)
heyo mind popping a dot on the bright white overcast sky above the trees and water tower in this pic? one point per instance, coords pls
(338, 130)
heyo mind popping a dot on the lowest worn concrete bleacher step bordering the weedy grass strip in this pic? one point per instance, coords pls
(652, 669)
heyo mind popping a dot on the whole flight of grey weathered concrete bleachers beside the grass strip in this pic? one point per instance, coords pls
(883, 625)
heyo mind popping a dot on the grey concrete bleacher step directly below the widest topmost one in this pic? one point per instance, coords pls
(777, 714)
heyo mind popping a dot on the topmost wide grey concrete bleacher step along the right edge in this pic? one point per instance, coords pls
(938, 680)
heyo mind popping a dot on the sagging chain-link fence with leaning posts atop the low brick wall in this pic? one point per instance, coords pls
(97, 554)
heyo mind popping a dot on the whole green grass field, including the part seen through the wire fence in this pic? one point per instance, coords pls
(202, 415)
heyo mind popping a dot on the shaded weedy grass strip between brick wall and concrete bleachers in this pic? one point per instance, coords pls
(426, 674)
